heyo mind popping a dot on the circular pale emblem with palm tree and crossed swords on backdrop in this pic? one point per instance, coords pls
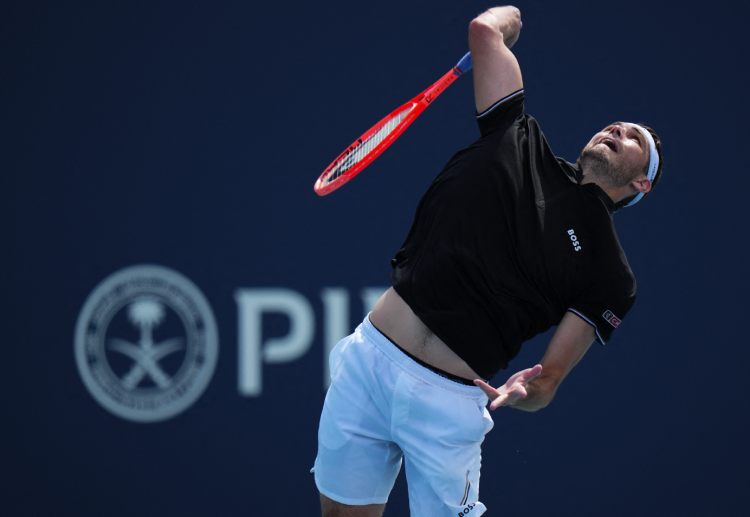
(146, 343)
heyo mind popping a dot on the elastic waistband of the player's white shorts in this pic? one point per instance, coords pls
(410, 364)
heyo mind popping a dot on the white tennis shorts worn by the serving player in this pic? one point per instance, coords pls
(383, 406)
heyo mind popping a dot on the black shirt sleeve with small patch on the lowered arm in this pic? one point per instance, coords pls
(605, 303)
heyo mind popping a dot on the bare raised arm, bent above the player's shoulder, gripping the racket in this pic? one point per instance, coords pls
(496, 70)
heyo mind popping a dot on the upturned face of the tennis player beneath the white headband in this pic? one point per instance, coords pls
(623, 148)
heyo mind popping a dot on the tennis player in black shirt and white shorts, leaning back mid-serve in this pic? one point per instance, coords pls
(508, 241)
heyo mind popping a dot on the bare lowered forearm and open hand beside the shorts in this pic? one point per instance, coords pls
(534, 388)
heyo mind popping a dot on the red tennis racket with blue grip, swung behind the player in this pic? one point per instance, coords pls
(363, 151)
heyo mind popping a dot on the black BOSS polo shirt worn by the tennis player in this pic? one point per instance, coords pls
(506, 240)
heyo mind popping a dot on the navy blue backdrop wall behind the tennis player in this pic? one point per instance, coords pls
(188, 135)
